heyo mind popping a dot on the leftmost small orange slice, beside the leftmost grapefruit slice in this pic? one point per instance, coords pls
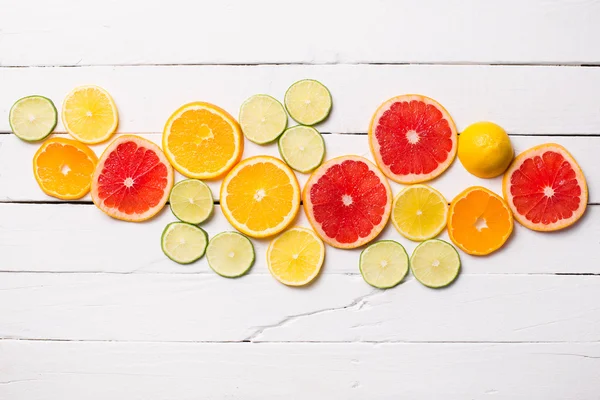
(63, 168)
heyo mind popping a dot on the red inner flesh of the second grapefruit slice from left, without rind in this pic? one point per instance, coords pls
(348, 201)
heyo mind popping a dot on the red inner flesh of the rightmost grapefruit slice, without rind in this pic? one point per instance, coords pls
(545, 188)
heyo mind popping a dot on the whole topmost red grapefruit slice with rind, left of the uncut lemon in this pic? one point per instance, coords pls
(413, 138)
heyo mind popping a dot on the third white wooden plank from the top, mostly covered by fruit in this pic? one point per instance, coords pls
(18, 184)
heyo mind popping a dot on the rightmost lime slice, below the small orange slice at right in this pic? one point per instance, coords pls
(435, 263)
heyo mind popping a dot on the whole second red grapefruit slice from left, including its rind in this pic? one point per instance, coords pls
(347, 201)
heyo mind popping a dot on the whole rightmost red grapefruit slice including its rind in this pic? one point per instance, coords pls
(545, 188)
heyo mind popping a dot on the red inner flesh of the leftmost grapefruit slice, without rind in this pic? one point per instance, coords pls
(133, 179)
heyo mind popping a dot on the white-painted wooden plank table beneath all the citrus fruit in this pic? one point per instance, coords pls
(90, 308)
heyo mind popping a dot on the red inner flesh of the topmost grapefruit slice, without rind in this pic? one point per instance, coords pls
(413, 137)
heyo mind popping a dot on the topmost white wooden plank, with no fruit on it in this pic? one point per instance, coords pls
(265, 31)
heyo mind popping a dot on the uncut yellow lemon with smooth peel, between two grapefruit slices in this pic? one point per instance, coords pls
(484, 149)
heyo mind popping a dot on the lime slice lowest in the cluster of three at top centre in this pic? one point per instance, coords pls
(302, 148)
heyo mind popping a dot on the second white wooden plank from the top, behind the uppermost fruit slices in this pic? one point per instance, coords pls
(524, 100)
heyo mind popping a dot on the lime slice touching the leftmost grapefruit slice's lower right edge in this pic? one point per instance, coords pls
(191, 201)
